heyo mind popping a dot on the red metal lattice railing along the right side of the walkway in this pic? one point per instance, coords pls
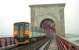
(64, 44)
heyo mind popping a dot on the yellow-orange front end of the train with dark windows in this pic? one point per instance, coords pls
(22, 33)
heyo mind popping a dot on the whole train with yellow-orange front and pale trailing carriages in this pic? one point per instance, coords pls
(23, 33)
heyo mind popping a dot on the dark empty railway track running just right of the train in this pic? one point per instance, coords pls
(33, 46)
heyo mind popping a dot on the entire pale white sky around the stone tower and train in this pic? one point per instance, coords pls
(12, 11)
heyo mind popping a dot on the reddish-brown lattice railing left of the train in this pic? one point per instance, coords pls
(6, 42)
